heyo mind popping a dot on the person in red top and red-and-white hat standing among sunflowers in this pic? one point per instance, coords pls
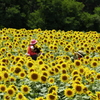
(33, 50)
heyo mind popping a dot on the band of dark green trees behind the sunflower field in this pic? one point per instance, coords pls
(82, 15)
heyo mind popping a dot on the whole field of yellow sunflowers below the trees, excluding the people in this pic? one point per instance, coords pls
(53, 76)
